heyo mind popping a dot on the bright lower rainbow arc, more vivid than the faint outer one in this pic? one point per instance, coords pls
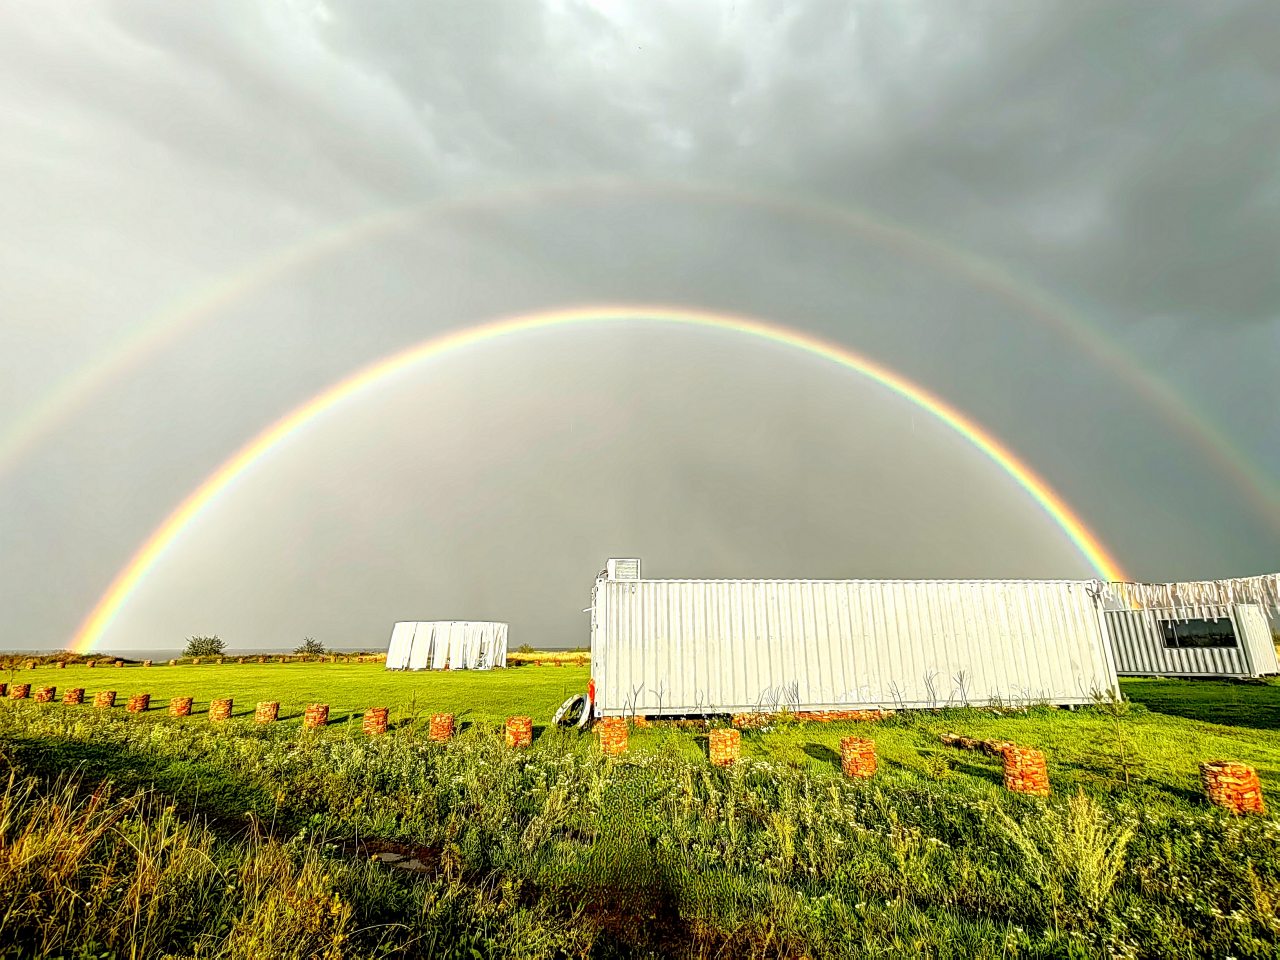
(131, 577)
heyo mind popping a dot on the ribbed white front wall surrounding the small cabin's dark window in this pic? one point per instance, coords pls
(1139, 643)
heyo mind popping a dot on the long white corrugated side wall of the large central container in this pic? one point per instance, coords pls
(734, 646)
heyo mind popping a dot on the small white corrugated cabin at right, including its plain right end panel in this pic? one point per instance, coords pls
(1139, 643)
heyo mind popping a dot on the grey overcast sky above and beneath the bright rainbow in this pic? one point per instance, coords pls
(1064, 220)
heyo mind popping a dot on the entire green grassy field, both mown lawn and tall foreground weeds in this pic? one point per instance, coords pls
(131, 836)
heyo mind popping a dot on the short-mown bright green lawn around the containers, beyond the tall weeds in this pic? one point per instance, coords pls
(1173, 728)
